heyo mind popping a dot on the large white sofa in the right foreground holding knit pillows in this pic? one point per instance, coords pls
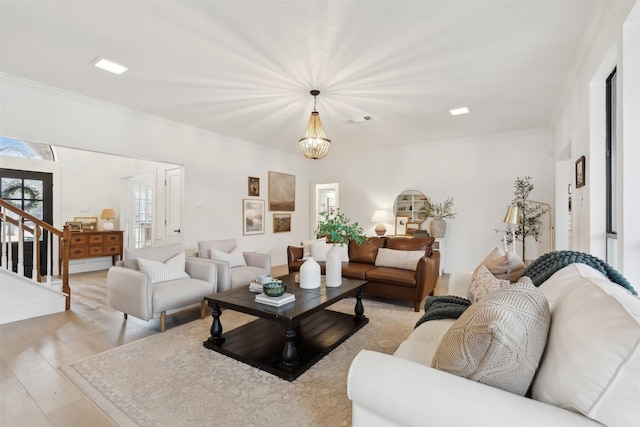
(589, 373)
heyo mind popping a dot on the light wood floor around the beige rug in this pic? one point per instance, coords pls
(33, 389)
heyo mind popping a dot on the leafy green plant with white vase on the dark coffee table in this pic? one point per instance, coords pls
(338, 229)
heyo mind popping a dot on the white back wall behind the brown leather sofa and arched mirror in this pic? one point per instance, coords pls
(477, 172)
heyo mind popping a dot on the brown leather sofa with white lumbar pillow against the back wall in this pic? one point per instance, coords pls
(386, 282)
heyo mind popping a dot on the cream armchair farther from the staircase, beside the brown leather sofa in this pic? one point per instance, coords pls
(235, 268)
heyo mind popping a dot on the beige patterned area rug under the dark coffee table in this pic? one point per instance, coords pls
(170, 379)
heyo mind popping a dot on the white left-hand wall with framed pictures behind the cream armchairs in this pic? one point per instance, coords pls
(216, 168)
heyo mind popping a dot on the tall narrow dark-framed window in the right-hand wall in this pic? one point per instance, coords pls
(611, 170)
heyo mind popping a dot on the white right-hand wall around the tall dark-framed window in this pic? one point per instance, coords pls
(581, 121)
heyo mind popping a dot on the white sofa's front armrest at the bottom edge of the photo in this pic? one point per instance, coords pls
(390, 391)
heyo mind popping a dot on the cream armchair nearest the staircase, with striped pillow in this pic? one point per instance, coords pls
(154, 287)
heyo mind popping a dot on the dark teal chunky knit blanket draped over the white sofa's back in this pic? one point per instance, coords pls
(544, 267)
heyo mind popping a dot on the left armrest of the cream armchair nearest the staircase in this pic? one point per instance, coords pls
(129, 291)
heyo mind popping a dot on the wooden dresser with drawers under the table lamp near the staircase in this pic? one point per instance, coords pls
(93, 244)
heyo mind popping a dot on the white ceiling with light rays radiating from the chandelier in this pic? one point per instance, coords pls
(245, 68)
